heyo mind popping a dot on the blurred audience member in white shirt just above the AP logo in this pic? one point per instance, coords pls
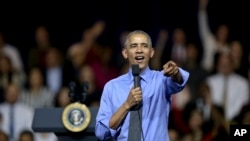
(226, 86)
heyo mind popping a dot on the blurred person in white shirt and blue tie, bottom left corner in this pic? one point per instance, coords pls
(11, 110)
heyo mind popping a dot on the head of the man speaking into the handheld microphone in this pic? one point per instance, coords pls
(138, 50)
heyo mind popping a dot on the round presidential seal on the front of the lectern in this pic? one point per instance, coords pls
(76, 117)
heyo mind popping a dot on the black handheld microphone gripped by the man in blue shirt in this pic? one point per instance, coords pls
(136, 72)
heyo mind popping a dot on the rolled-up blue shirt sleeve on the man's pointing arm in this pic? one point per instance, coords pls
(174, 87)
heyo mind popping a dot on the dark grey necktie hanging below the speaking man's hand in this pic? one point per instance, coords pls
(135, 128)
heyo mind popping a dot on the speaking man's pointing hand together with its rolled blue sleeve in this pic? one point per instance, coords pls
(176, 78)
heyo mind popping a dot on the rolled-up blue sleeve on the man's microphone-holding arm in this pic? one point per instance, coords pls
(102, 129)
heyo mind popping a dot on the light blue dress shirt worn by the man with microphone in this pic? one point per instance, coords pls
(156, 90)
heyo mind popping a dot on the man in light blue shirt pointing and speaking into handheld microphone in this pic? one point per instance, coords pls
(135, 106)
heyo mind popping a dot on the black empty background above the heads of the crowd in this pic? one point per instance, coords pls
(66, 20)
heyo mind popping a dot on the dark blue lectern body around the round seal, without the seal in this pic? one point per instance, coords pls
(49, 120)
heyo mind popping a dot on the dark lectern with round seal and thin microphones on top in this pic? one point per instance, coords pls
(52, 120)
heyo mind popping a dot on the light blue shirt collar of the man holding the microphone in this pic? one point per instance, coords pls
(145, 74)
